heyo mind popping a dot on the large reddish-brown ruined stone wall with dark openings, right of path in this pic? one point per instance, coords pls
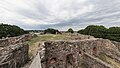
(70, 54)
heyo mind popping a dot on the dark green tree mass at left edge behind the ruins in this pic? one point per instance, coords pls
(10, 30)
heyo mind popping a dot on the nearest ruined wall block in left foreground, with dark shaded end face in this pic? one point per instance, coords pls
(14, 56)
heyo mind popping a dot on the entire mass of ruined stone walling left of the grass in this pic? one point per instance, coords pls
(14, 52)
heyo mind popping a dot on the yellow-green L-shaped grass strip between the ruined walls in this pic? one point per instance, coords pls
(34, 42)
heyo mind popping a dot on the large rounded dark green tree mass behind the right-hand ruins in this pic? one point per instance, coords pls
(112, 33)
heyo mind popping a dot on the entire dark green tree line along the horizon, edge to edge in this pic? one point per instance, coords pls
(112, 33)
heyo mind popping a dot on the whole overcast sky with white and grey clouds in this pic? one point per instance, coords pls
(60, 14)
